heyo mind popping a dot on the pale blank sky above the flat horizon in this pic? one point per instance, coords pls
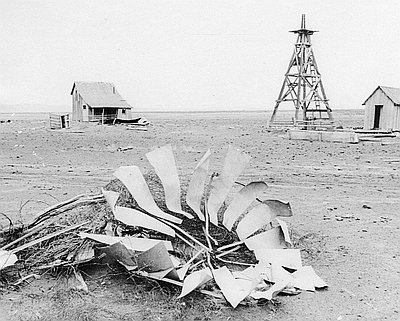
(193, 55)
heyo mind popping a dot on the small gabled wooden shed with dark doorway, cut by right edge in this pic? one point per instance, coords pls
(382, 109)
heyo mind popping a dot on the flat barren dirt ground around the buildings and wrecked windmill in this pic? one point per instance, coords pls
(345, 199)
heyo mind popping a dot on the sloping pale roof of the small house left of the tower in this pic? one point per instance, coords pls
(100, 94)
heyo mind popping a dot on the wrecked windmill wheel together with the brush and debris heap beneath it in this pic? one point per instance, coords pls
(242, 249)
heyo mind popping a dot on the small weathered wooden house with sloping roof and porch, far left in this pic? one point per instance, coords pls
(98, 101)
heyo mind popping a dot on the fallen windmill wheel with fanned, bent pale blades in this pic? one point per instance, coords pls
(256, 222)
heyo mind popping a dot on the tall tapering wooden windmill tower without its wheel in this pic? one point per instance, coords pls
(302, 84)
